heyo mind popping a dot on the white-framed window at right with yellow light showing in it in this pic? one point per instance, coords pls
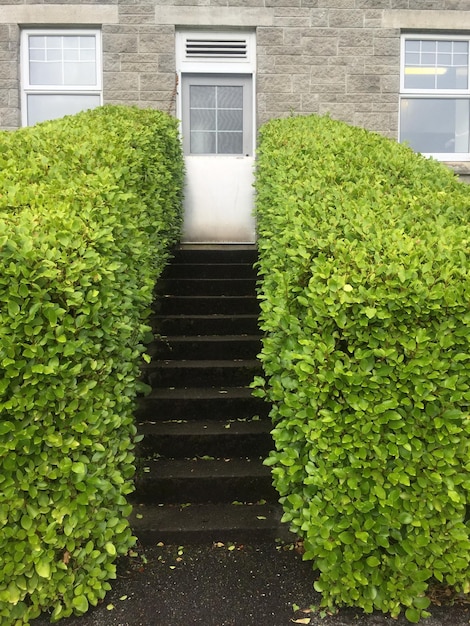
(435, 96)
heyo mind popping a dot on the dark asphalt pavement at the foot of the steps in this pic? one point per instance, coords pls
(224, 584)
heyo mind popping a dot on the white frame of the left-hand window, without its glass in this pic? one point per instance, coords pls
(28, 89)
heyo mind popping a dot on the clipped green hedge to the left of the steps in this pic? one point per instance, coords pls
(90, 206)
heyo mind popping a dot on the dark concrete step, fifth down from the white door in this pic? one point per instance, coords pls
(205, 324)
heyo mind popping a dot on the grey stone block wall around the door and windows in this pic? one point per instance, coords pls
(313, 56)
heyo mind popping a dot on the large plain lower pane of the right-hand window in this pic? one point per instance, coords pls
(435, 125)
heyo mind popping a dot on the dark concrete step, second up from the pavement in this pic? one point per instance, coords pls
(199, 480)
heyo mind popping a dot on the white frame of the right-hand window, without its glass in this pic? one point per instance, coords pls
(445, 94)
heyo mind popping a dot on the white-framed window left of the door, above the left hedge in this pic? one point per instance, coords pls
(61, 73)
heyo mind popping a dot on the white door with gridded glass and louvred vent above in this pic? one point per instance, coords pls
(217, 117)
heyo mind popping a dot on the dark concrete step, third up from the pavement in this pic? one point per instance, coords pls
(227, 438)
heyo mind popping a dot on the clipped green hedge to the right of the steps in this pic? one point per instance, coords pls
(365, 297)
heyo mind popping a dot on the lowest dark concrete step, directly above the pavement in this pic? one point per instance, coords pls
(204, 523)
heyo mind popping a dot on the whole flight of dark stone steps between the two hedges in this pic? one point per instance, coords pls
(200, 475)
